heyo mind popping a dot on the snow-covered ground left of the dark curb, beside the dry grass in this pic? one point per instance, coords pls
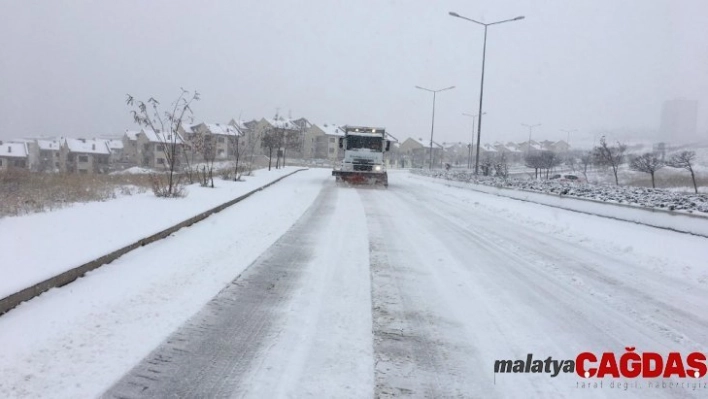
(39, 246)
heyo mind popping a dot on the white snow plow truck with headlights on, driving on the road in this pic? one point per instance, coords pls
(363, 161)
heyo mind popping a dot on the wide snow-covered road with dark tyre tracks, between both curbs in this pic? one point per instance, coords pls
(354, 292)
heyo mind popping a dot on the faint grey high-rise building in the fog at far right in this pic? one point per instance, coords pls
(678, 121)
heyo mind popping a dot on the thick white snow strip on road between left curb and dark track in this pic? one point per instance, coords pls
(76, 341)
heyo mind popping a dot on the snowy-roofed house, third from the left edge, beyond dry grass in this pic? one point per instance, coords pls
(87, 156)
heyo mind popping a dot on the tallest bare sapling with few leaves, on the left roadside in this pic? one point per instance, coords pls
(166, 124)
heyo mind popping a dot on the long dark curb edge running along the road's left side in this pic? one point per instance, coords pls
(69, 276)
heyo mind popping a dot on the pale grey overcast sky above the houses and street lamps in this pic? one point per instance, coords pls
(66, 66)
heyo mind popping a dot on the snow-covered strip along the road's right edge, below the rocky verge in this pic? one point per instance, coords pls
(661, 218)
